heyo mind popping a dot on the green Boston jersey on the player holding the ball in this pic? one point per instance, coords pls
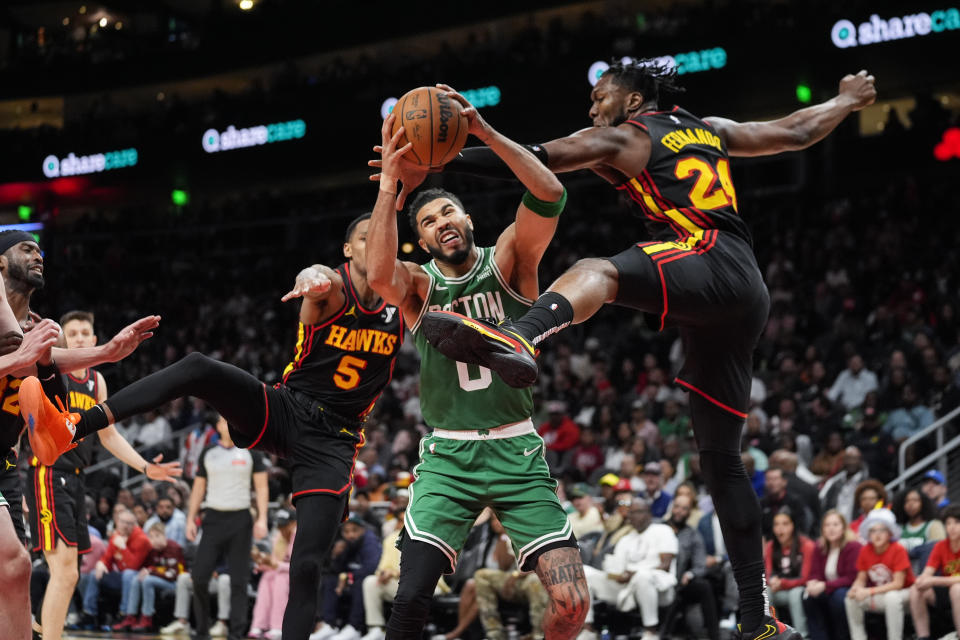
(454, 395)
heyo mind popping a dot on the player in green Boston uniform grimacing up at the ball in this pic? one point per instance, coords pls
(483, 450)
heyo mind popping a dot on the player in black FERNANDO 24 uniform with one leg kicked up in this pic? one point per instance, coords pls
(697, 272)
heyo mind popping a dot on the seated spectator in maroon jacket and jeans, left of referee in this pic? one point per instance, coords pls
(159, 573)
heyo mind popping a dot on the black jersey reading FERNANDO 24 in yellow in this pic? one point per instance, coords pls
(685, 193)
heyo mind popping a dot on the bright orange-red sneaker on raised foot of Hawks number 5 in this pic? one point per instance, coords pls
(50, 429)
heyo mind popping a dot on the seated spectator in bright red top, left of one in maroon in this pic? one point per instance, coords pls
(118, 566)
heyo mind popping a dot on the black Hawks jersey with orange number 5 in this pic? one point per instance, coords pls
(346, 361)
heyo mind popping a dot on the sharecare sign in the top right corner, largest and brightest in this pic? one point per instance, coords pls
(845, 34)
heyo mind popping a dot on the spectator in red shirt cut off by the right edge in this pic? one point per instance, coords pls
(941, 591)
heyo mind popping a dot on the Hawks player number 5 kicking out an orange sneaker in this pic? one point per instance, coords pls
(347, 343)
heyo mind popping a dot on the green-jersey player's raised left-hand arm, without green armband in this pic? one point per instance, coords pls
(401, 284)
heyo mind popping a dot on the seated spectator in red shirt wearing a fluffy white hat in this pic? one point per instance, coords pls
(883, 575)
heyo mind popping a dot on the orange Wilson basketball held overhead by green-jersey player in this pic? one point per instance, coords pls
(434, 123)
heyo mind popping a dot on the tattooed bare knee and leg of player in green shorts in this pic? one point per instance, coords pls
(561, 572)
